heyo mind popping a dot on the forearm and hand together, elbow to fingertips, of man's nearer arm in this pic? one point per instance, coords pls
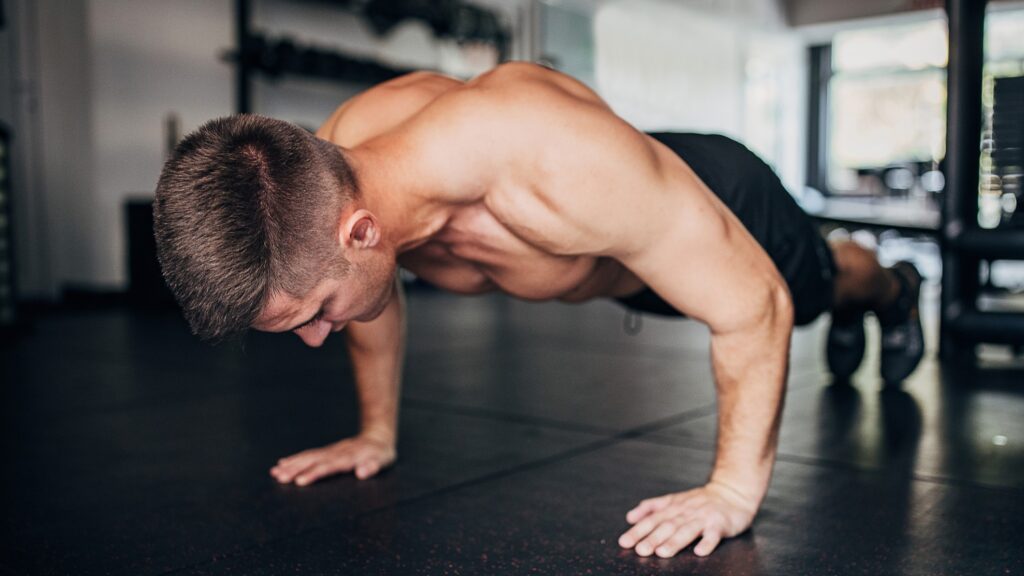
(750, 364)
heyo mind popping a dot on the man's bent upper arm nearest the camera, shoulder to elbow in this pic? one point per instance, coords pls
(668, 228)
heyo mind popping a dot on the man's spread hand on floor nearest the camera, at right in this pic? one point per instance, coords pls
(669, 524)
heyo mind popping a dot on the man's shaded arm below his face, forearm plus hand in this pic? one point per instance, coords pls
(376, 349)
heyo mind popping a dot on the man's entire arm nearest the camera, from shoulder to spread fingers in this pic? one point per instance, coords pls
(708, 266)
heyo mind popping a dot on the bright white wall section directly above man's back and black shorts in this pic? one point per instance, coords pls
(729, 67)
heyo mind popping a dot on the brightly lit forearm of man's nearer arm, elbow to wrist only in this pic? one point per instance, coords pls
(750, 372)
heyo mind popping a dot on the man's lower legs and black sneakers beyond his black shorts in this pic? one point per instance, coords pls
(864, 285)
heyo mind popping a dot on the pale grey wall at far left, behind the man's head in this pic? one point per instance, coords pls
(91, 83)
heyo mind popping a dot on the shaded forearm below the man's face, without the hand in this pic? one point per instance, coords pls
(377, 349)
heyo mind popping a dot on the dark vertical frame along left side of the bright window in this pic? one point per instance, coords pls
(818, 126)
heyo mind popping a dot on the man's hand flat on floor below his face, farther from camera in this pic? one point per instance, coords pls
(367, 455)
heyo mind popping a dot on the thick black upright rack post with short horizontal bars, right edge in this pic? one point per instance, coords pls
(965, 244)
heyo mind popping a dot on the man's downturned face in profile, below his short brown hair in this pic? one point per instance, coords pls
(361, 296)
